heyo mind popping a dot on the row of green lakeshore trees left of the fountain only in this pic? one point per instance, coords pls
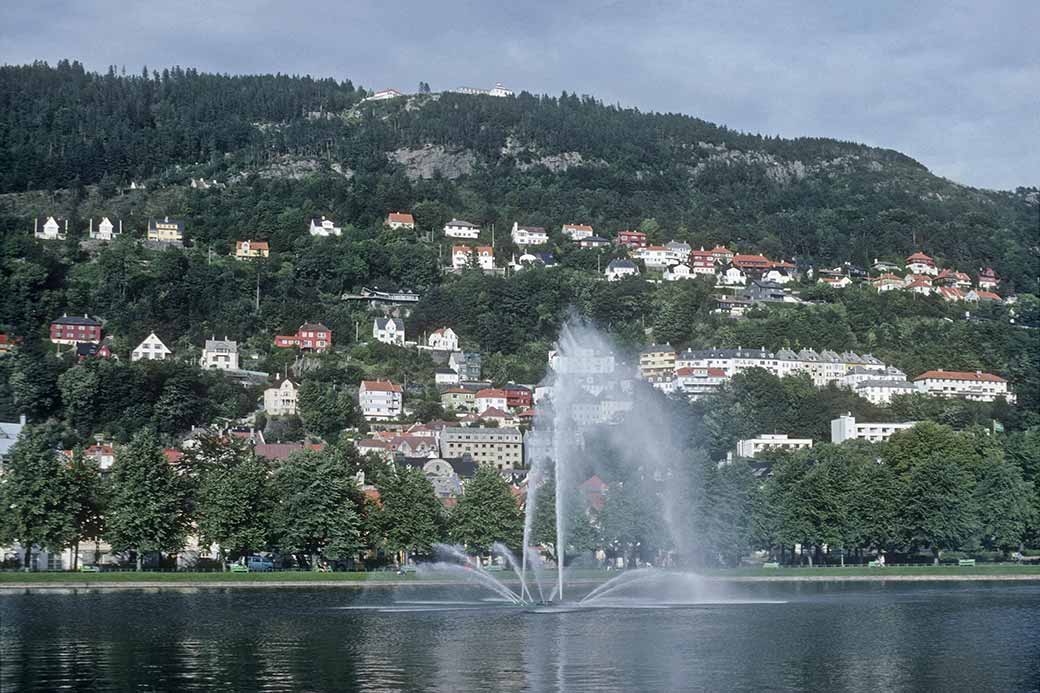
(308, 509)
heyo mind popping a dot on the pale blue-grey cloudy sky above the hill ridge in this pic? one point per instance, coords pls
(954, 85)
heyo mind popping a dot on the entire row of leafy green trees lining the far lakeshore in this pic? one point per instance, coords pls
(930, 489)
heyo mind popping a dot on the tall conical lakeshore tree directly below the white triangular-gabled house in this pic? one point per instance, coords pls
(147, 512)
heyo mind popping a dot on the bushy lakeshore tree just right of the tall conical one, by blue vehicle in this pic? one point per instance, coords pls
(235, 502)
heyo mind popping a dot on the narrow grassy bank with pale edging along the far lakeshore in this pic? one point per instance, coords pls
(146, 584)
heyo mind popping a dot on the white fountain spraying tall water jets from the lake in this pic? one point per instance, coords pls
(593, 399)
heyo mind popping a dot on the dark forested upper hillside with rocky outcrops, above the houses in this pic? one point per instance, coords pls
(311, 145)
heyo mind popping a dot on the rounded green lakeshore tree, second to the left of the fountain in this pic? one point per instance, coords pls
(412, 519)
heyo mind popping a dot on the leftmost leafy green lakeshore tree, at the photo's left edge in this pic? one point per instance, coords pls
(35, 494)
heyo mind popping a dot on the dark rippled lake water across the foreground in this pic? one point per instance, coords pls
(798, 637)
